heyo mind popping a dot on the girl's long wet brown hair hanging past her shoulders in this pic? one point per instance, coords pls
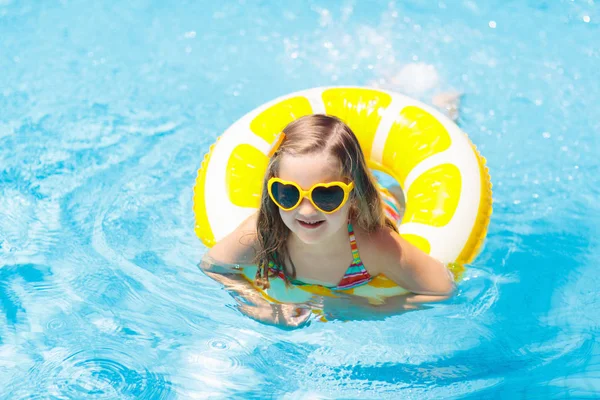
(315, 134)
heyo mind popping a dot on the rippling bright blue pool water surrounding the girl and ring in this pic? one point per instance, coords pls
(106, 109)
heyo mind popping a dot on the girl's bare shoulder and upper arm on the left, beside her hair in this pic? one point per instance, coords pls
(240, 246)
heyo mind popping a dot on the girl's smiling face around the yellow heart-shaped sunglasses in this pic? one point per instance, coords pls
(308, 223)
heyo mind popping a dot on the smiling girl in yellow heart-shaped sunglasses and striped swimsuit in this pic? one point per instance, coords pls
(321, 221)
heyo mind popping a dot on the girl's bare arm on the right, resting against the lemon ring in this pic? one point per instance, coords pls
(410, 267)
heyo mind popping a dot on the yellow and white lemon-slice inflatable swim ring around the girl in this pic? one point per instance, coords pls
(444, 178)
